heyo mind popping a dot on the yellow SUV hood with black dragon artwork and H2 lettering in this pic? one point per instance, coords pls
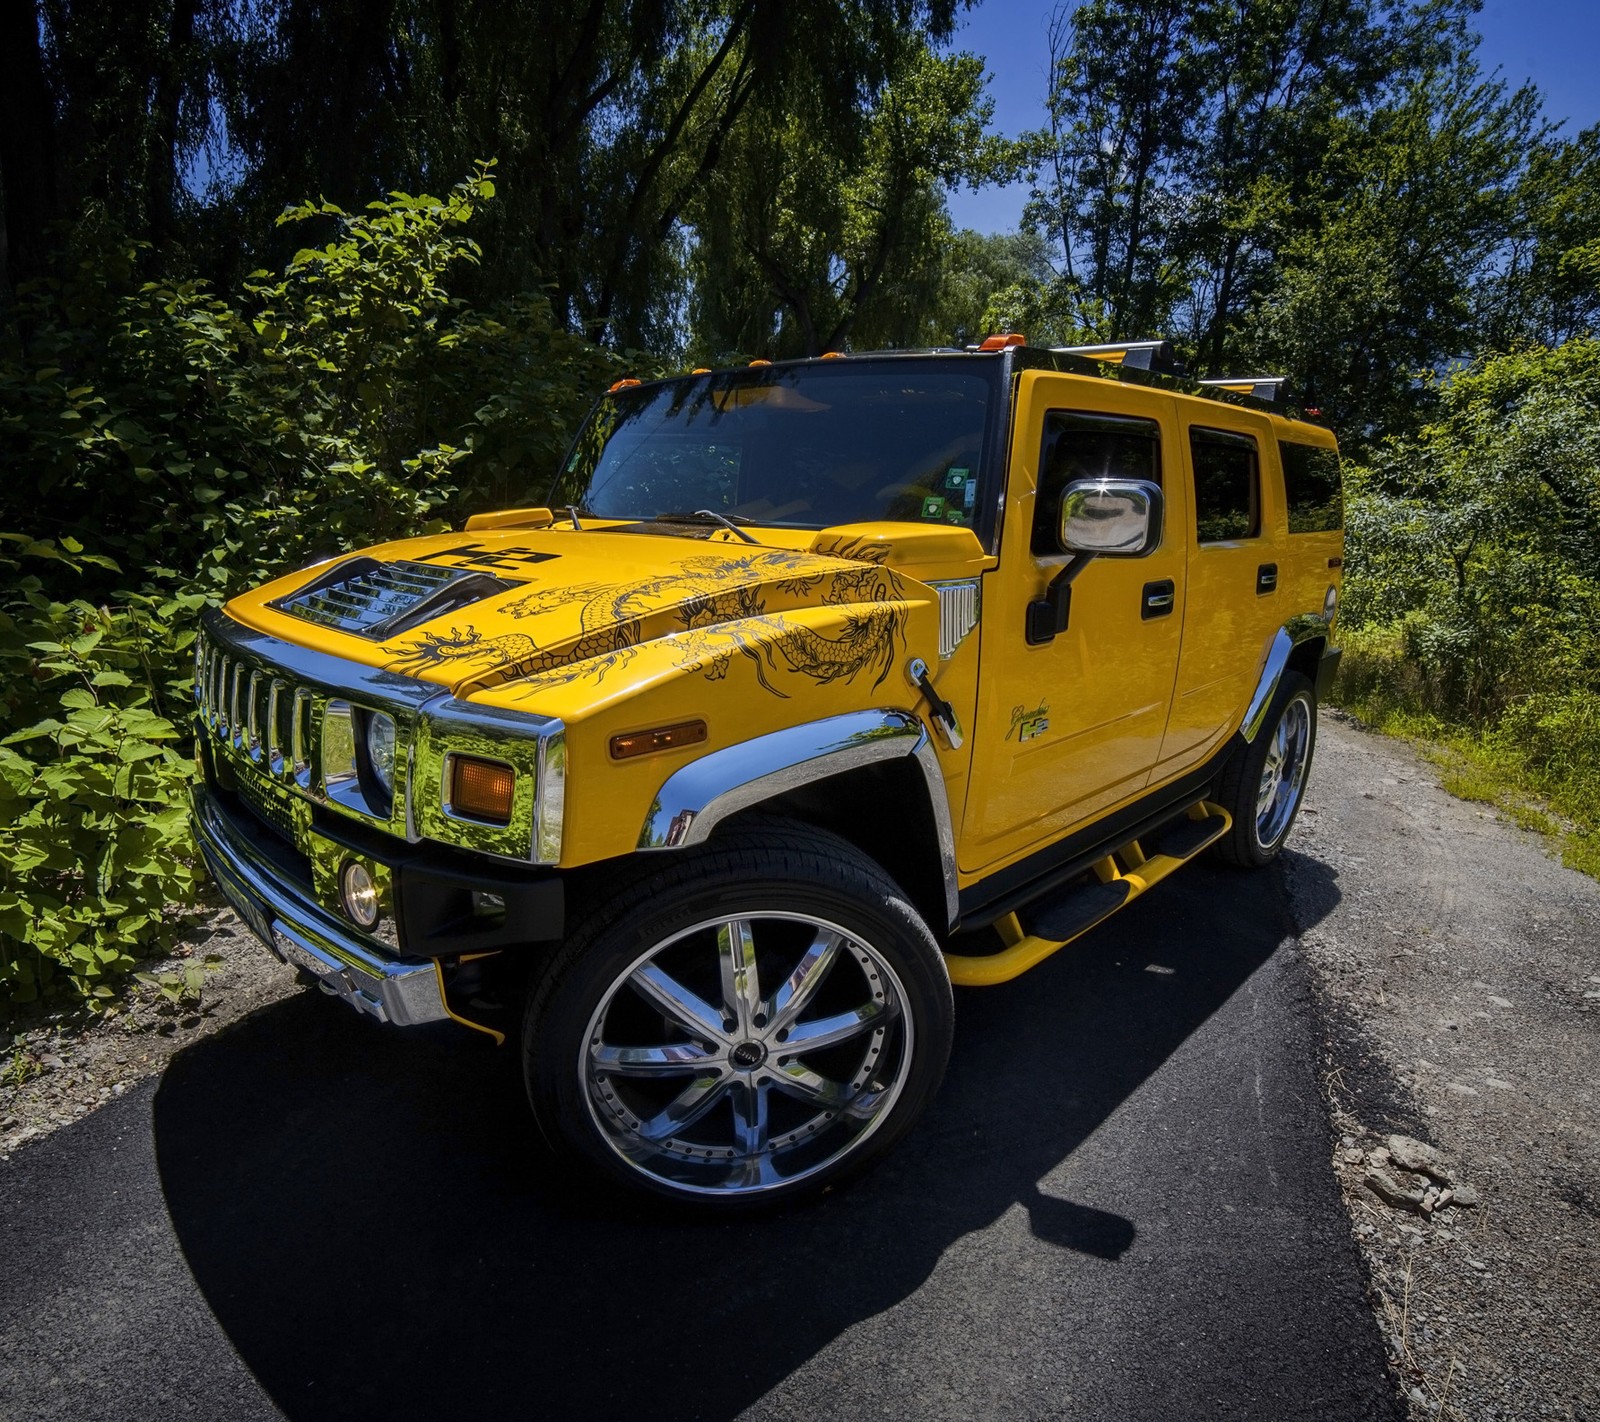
(550, 607)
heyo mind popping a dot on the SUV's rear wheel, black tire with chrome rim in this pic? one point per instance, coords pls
(1278, 762)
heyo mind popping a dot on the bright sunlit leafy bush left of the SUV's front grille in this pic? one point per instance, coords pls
(94, 836)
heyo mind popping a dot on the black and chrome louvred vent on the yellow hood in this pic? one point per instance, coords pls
(377, 601)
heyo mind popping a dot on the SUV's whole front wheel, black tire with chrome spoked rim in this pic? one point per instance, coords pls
(655, 1060)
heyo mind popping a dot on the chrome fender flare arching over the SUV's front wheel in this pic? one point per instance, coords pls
(695, 799)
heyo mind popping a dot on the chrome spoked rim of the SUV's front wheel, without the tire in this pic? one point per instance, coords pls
(746, 1053)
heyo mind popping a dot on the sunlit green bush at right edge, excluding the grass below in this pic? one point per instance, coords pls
(1478, 543)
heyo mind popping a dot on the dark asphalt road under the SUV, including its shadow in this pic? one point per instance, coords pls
(1119, 1208)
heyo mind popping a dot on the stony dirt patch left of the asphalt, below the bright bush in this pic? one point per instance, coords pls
(58, 1066)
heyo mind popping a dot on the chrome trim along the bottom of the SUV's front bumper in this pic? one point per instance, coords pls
(305, 935)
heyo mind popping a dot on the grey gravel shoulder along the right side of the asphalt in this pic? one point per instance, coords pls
(1458, 970)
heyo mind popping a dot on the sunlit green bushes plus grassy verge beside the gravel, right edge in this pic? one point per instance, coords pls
(1473, 597)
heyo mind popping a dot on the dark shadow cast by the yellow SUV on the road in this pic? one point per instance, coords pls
(378, 1229)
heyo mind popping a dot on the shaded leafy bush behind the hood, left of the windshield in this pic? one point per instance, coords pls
(198, 439)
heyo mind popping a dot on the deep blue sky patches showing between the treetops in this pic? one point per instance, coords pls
(1553, 42)
